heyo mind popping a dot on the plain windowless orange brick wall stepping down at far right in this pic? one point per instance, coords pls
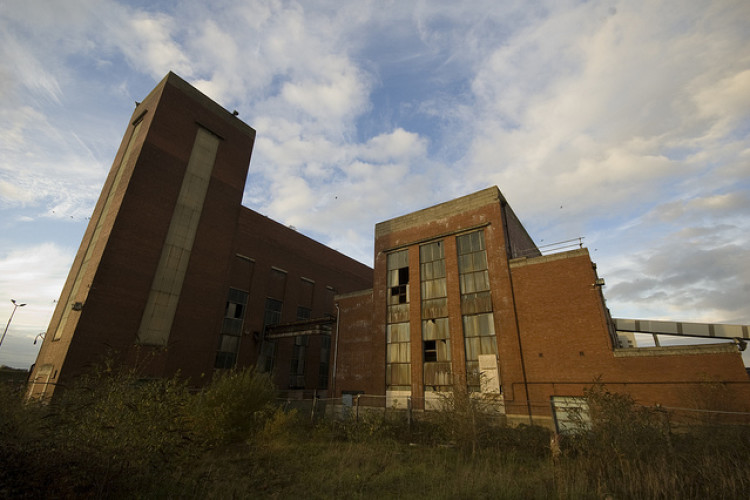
(567, 348)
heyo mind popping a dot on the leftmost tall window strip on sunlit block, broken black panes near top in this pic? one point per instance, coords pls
(398, 344)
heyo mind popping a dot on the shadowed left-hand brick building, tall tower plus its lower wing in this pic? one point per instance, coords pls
(174, 274)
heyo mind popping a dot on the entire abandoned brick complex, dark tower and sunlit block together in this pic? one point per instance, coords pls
(175, 275)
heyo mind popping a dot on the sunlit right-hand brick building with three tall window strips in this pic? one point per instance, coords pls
(463, 298)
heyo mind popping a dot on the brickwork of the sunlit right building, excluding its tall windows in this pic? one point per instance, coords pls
(552, 329)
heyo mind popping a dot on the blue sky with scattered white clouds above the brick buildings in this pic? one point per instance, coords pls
(625, 122)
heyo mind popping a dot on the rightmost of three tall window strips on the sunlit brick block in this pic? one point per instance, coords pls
(476, 304)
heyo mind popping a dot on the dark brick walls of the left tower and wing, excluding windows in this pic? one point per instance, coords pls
(118, 280)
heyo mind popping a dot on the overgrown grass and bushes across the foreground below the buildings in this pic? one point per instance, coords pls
(115, 436)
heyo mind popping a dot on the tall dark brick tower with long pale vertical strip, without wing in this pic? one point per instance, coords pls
(149, 278)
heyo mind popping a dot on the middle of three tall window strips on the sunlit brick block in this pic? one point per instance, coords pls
(436, 350)
